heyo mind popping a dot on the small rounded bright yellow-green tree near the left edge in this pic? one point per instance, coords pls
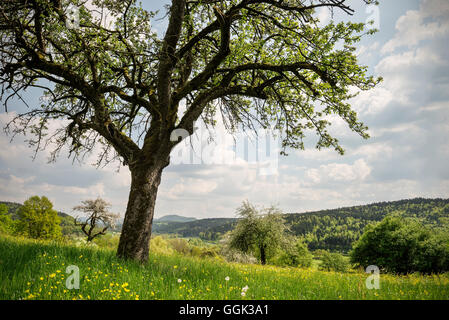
(38, 220)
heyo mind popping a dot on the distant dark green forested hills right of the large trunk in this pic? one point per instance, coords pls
(334, 229)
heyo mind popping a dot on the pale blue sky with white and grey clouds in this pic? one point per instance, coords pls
(406, 157)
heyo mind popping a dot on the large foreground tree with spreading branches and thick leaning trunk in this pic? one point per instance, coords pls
(258, 63)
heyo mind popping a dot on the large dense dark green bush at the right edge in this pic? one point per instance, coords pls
(402, 245)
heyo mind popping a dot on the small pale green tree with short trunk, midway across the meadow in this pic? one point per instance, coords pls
(258, 233)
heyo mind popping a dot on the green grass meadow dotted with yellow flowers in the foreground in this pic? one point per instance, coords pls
(37, 270)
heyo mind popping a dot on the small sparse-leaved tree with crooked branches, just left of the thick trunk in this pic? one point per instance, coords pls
(98, 220)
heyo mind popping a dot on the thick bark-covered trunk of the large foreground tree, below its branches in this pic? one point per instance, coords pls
(136, 231)
